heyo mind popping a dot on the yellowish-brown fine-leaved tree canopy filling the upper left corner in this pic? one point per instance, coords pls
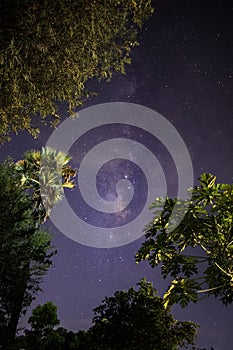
(51, 48)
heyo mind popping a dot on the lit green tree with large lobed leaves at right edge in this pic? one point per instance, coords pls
(197, 254)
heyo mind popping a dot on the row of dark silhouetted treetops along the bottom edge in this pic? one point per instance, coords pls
(133, 319)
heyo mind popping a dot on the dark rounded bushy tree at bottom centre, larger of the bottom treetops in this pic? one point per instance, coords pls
(137, 319)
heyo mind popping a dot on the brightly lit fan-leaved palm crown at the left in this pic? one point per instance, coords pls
(45, 173)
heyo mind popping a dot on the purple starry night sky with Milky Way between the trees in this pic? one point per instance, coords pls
(182, 70)
